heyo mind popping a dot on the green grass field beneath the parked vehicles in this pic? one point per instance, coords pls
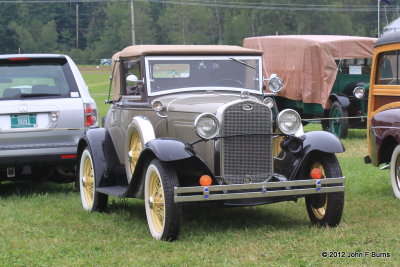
(45, 225)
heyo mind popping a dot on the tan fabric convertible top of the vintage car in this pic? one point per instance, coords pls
(141, 50)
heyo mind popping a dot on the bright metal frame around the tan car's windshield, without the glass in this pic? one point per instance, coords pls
(234, 58)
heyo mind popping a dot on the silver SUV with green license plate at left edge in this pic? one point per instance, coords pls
(45, 107)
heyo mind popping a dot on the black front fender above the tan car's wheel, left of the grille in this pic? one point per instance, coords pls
(164, 149)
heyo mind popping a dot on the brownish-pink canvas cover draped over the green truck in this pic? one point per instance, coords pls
(306, 63)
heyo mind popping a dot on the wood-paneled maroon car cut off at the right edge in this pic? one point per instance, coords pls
(384, 108)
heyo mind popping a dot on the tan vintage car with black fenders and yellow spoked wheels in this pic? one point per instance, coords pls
(192, 124)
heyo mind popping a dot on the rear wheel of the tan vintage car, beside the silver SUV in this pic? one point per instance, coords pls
(91, 200)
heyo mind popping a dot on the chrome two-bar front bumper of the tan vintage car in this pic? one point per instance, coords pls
(260, 190)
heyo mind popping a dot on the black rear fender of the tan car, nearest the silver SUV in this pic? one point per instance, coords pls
(105, 160)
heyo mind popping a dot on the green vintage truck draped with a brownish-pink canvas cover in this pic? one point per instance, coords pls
(326, 77)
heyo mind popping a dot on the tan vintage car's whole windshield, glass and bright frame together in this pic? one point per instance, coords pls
(172, 74)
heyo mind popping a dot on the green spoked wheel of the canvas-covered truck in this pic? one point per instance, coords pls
(338, 127)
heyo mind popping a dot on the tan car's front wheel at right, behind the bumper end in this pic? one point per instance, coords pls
(325, 209)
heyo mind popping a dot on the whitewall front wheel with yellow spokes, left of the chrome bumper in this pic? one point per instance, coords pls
(163, 215)
